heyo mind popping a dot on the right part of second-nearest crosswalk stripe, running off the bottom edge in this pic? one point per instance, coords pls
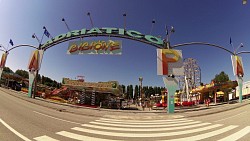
(204, 136)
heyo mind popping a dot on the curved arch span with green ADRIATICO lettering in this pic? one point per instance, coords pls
(105, 31)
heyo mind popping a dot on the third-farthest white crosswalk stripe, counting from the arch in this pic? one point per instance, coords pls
(140, 125)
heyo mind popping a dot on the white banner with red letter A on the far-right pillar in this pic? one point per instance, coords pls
(237, 63)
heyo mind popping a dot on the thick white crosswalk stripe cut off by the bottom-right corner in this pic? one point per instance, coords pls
(237, 135)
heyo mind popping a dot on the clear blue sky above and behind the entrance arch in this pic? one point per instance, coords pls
(210, 21)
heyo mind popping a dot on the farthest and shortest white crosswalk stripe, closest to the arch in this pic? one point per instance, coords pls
(167, 120)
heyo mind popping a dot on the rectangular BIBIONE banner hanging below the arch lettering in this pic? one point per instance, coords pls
(95, 47)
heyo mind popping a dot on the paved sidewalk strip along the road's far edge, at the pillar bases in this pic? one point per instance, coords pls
(200, 110)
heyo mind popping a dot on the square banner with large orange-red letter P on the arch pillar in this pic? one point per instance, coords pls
(169, 62)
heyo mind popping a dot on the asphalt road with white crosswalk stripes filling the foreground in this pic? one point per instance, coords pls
(22, 120)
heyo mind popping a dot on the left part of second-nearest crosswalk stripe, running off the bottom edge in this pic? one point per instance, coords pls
(81, 137)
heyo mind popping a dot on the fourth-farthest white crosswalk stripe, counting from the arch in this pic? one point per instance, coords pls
(144, 129)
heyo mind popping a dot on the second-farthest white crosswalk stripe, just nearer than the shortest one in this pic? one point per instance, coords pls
(155, 123)
